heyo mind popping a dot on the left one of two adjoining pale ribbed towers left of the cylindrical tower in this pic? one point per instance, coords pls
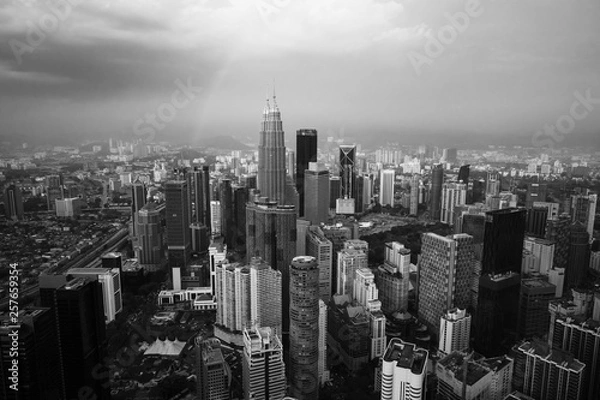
(233, 292)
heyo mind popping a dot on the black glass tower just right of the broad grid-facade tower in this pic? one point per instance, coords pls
(503, 241)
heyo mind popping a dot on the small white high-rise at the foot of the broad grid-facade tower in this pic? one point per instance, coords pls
(455, 331)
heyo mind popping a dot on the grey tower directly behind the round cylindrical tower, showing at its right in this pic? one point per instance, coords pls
(319, 247)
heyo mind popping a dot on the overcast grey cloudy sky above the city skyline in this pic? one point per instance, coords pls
(359, 68)
